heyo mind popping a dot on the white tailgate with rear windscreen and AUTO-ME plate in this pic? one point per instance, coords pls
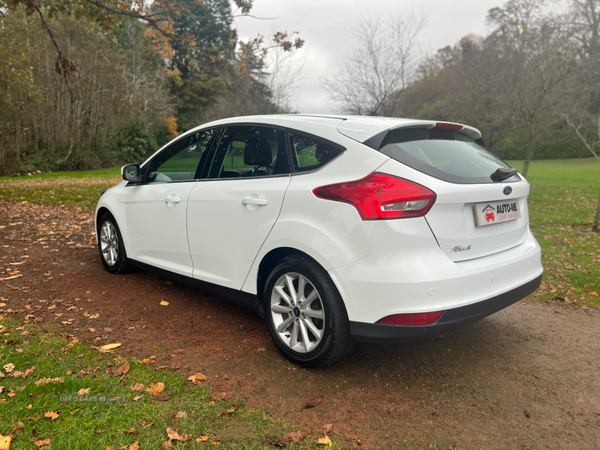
(475, 213)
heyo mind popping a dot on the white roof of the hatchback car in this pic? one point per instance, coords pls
(358, 128)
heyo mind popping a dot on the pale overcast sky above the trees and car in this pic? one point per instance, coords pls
(326, 26)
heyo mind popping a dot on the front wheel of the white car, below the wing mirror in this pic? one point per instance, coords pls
(110, 245)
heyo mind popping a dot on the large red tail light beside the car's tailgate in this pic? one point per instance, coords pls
(381, 196)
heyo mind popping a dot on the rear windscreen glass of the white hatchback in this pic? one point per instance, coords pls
(446, 155)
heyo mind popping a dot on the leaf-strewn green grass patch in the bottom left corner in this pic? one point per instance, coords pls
(104, 410)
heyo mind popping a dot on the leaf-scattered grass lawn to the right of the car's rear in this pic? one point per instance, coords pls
(562, 205)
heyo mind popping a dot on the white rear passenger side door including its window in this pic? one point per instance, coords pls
(233, 209)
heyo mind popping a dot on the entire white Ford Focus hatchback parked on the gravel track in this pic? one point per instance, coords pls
(334, 229)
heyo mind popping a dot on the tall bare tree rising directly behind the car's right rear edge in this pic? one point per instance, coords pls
(536, 67)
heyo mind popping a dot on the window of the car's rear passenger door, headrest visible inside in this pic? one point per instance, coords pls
(250, 151)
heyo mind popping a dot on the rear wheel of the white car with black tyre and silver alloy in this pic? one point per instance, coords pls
(305, 313)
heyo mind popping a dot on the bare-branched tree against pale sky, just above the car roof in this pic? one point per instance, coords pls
(383, 64)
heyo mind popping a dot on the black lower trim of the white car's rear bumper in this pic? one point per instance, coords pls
(450, 319)
